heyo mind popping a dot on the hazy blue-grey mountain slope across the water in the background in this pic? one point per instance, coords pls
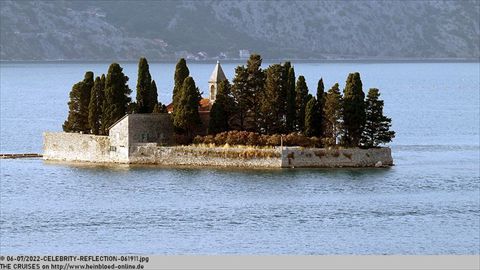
(166, 30)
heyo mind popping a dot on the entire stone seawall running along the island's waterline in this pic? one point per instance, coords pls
(90, 148)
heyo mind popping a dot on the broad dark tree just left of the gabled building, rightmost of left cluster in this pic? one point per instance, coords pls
(117, 97)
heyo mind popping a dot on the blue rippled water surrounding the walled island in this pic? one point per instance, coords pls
(427, 204)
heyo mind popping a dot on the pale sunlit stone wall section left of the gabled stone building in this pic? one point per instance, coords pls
(76, 147)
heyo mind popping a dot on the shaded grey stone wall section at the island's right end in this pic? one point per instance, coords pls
(327, 158)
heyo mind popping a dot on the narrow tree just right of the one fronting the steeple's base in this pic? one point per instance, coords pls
(241, 96)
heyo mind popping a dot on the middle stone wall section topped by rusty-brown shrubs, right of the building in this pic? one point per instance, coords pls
(199, 156)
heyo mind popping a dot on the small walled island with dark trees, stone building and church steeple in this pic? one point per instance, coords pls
(265, 118)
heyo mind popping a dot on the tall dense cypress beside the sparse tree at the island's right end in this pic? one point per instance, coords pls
(353, 110)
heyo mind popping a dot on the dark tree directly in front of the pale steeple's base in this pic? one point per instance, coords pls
(222, 109)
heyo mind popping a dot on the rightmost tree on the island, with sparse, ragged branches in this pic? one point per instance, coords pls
(377, 126)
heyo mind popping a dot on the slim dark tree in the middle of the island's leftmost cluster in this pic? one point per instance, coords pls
(95, 106)
